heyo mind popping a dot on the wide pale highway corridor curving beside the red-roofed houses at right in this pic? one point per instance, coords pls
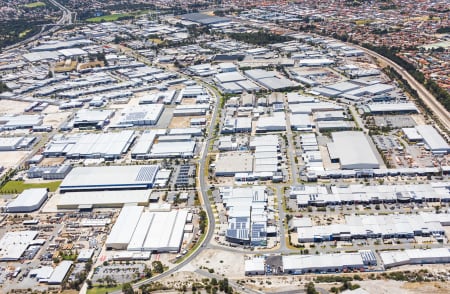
(437, 108)
